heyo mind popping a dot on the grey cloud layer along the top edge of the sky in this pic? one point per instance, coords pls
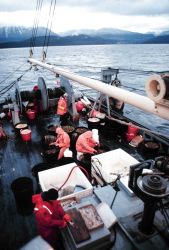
(120, 7)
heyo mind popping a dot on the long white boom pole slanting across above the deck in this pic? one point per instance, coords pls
(136, 100)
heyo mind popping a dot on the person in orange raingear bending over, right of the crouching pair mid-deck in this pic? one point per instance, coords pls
(86, 143)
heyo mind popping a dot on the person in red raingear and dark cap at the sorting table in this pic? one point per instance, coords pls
(50, 217)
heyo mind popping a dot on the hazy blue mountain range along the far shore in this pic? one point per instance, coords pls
(11, 37)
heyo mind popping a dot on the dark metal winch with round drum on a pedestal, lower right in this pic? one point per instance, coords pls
(151, 186)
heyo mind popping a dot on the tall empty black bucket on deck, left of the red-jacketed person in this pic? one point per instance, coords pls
(22, 189)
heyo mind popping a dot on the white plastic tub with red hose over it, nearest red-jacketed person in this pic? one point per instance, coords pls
(55, 177)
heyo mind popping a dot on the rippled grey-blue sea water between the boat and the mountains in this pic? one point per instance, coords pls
(134, 62)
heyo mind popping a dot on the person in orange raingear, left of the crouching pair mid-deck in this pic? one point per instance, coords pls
(62, 141)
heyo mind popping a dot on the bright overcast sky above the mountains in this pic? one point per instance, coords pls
(134, 15)
